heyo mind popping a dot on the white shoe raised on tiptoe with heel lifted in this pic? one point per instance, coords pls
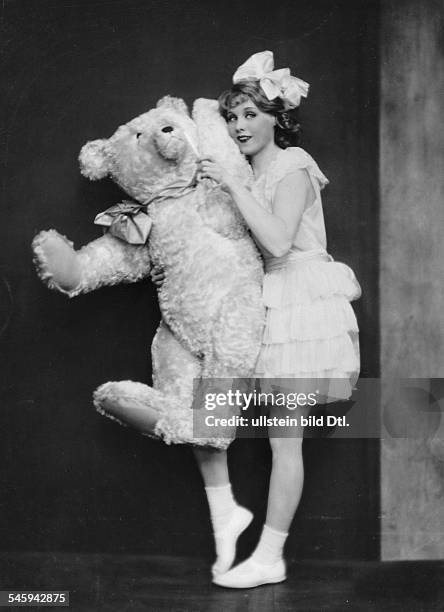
(226, 539)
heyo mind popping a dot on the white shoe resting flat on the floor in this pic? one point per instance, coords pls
(250, 574)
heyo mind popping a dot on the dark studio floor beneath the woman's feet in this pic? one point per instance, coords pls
(122, 582)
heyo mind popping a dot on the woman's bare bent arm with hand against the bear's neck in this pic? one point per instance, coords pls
(274, 231)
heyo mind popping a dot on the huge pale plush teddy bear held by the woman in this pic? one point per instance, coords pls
(212, 312)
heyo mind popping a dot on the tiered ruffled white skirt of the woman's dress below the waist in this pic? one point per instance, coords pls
(311, 332)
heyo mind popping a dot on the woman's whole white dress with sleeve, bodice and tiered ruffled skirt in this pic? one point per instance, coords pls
(311, 331)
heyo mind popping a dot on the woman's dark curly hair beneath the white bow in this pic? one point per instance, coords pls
(287, 130)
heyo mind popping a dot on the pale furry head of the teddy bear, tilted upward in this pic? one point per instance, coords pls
(148, 153)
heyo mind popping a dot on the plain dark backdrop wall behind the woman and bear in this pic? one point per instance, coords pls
(73, 71)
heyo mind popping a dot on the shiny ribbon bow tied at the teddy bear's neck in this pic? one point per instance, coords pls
(127, 221)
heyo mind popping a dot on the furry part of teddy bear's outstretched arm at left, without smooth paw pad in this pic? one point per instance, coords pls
(110, 261)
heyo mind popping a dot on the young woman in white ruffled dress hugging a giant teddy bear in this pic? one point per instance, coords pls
(311, 331)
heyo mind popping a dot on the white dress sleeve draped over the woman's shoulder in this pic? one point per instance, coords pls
(291, 159)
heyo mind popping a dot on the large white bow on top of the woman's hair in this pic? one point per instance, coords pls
(275, 83)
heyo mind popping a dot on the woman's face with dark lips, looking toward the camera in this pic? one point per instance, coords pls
(250, 128)
